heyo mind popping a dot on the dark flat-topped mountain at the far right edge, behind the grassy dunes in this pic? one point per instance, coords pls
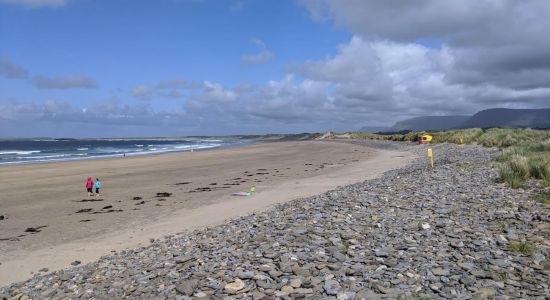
(511, 118)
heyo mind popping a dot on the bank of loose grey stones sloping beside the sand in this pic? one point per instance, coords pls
(415, 233)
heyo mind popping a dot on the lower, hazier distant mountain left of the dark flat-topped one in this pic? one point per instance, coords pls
(430, 123)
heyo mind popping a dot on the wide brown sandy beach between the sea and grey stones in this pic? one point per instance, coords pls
(50, 221)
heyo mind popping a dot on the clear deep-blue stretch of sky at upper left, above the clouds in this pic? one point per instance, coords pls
(120, 46)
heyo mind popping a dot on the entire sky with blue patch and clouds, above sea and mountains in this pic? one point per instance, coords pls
(135, 68)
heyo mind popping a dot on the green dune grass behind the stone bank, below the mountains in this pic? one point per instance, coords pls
(525, 152)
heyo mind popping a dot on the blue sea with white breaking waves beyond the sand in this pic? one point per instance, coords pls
(20, 151)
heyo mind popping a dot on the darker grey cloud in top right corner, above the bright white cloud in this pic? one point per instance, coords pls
(491, 41)
